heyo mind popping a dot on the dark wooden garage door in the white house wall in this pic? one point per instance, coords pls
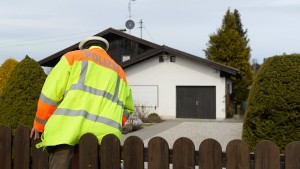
(196, 102)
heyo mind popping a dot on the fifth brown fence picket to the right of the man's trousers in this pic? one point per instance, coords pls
(183, 154)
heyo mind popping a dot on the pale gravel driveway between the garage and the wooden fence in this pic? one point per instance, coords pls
(196, 130)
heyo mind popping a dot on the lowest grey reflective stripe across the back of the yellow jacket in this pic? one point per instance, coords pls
(88, 116)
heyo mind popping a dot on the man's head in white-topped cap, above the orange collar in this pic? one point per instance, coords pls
(94, 41)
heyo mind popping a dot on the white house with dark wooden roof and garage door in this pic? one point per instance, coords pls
(174, 83)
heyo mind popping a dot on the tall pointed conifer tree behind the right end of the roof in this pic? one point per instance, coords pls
(229, 46)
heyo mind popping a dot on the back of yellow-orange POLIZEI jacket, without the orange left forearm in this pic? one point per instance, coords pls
(94, 91)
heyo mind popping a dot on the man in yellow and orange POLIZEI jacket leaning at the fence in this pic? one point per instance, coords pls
(86, 92)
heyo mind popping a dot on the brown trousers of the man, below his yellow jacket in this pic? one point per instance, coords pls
(60, 156)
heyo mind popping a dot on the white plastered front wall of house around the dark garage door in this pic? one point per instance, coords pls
(167, 75)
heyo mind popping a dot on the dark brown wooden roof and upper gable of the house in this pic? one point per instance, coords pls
(137, 50)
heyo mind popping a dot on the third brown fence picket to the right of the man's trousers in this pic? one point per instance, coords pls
(133, 153)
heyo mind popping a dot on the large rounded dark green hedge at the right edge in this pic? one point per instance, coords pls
(273, 108)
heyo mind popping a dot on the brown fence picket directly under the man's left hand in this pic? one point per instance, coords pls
(39, 157)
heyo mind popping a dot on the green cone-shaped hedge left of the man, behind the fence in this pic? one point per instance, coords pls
(18, 101)
